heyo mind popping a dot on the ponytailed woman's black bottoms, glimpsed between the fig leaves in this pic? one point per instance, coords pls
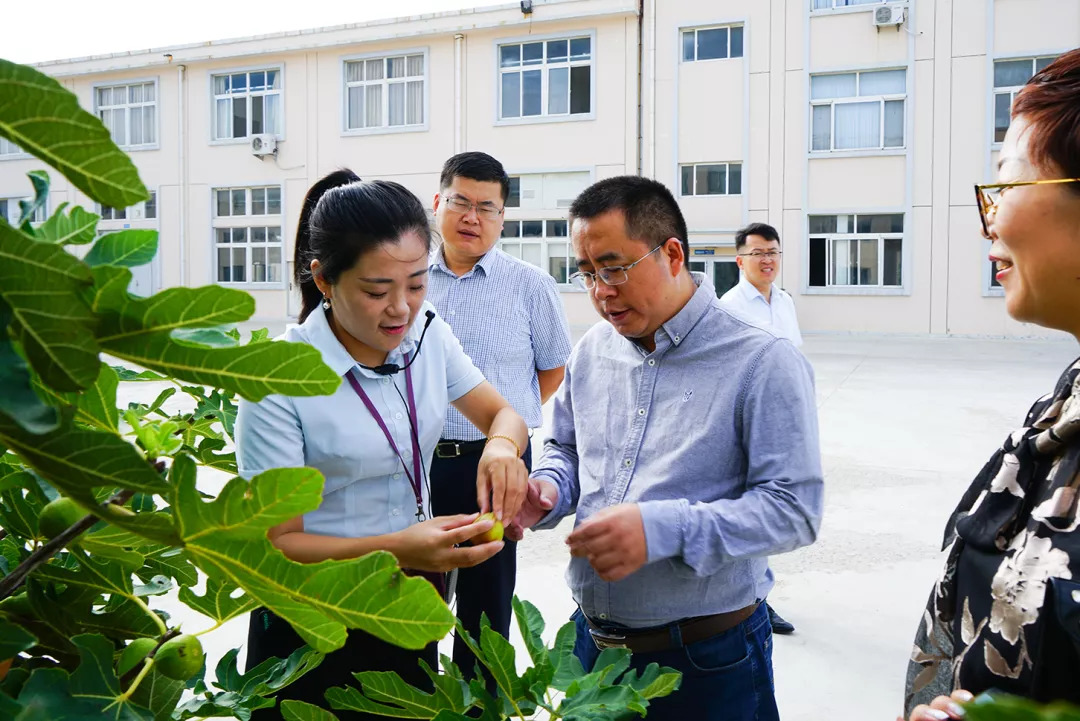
(269, 636)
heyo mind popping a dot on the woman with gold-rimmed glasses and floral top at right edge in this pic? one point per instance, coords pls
(1006, 614)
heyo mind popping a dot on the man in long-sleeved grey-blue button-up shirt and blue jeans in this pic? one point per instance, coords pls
(686, 441)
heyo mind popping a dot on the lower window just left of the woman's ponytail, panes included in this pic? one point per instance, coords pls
(248, 238)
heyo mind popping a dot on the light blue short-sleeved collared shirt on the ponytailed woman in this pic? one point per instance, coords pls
(367, 492)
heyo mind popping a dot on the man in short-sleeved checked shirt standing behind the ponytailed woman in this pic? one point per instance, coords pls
(508, 316)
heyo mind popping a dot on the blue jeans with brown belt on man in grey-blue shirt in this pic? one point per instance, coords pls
(727, 677)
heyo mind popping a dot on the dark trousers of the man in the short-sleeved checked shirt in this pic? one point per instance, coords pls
(485, 589)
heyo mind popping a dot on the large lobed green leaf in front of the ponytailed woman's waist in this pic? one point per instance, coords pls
(227, 540)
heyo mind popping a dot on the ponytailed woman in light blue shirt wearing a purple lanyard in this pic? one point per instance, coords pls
(362, 265)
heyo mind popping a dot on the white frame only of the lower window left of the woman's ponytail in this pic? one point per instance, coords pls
(248, 222)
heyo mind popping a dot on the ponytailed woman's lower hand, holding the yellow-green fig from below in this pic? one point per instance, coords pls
(431, 546)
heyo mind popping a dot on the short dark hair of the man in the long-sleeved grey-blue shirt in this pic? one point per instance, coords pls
(653, 215)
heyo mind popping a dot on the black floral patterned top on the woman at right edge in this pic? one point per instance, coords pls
(1006, 614)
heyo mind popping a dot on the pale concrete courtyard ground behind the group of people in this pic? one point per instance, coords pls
(906, 425)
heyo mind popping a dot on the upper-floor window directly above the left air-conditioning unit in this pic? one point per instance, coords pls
(247, 104)
